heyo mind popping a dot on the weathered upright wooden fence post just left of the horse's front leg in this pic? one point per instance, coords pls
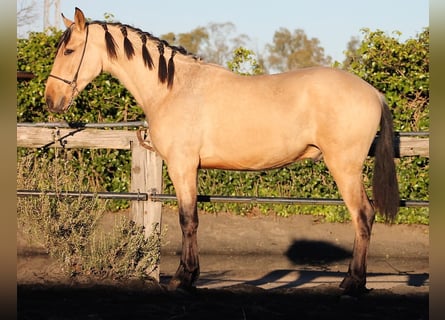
(146, 177)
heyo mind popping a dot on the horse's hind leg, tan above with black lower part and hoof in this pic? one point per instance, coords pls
(350, 184)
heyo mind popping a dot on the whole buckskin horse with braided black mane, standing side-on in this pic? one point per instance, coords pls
(202, 115)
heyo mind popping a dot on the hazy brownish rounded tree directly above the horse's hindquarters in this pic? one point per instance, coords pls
(293, 50)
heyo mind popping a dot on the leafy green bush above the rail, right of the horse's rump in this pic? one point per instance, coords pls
(401, 71)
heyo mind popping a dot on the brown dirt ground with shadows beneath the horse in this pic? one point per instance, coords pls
(251, 268)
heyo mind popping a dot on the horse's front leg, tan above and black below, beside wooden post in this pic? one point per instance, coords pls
(185, 183)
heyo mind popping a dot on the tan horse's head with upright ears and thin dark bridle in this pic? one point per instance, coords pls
(75, 65)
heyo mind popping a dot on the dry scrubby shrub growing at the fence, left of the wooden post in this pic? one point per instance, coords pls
(70, 228)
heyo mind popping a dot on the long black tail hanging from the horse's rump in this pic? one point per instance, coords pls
(384, 184)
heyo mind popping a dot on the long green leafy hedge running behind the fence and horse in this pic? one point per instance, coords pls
(399, 69)
